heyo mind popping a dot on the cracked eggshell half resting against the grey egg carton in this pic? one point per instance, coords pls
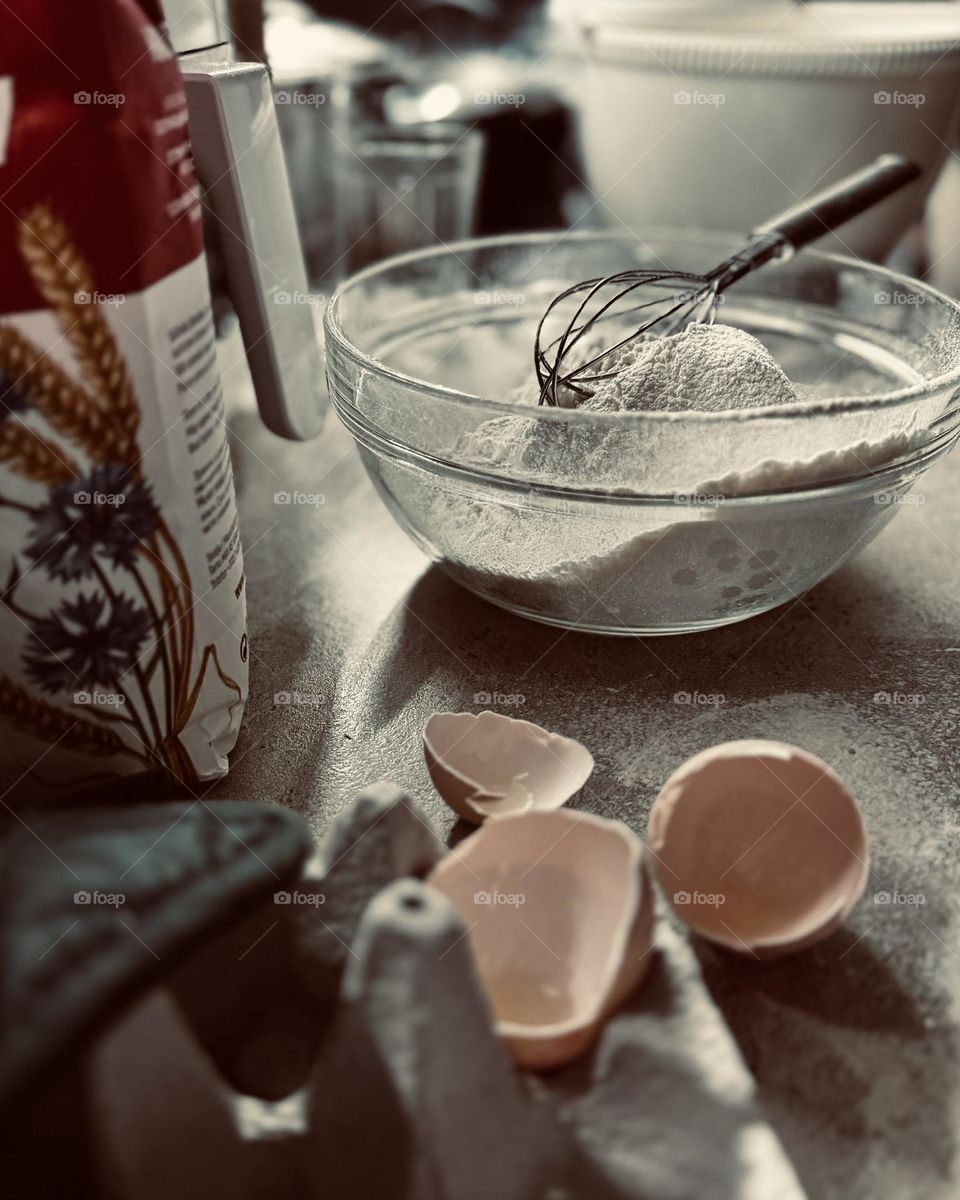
(560, 913)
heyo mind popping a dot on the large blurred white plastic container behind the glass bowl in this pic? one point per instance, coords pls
(715, 116)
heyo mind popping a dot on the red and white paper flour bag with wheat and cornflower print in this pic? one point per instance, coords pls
(123, 641)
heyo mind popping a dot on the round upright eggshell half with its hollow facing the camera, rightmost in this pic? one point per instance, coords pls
(759, 847)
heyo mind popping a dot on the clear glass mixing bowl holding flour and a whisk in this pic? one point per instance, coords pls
(639, 523)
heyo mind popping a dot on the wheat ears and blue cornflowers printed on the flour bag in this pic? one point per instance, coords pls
(125, 619)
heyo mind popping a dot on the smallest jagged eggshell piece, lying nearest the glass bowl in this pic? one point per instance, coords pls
(489, 765)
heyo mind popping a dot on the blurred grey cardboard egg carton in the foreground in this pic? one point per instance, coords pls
(407, 1094)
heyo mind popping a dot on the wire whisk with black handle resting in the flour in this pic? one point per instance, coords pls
(664, 302)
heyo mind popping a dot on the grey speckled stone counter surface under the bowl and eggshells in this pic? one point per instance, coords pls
(855, 1043)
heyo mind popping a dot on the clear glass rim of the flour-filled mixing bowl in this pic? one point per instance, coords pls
(335, 337)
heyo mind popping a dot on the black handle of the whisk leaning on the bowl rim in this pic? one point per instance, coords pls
(841, 202)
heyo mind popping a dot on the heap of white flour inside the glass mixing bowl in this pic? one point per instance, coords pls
(602, 563)
